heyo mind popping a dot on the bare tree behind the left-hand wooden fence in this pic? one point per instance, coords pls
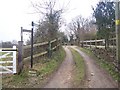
(49, 26)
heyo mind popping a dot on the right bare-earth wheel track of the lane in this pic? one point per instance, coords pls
(96, 77)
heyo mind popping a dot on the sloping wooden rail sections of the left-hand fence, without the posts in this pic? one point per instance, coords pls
(39, 49)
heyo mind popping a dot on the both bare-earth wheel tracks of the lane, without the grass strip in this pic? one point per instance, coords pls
(96, 77)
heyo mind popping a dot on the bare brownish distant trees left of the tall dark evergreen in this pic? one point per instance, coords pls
(82, 29)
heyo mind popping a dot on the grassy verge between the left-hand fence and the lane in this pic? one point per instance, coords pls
(45, 68)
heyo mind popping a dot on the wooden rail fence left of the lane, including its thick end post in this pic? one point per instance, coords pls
(39, 49)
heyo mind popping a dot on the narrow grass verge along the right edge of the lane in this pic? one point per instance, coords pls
(104, 64)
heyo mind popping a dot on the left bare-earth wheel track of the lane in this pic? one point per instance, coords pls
(63, 77)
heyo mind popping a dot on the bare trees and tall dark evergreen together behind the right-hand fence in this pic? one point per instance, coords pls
(102, 25)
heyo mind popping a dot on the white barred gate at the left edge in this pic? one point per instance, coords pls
(8, 60)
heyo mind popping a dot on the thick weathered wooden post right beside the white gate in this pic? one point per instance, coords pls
(20, 56)
